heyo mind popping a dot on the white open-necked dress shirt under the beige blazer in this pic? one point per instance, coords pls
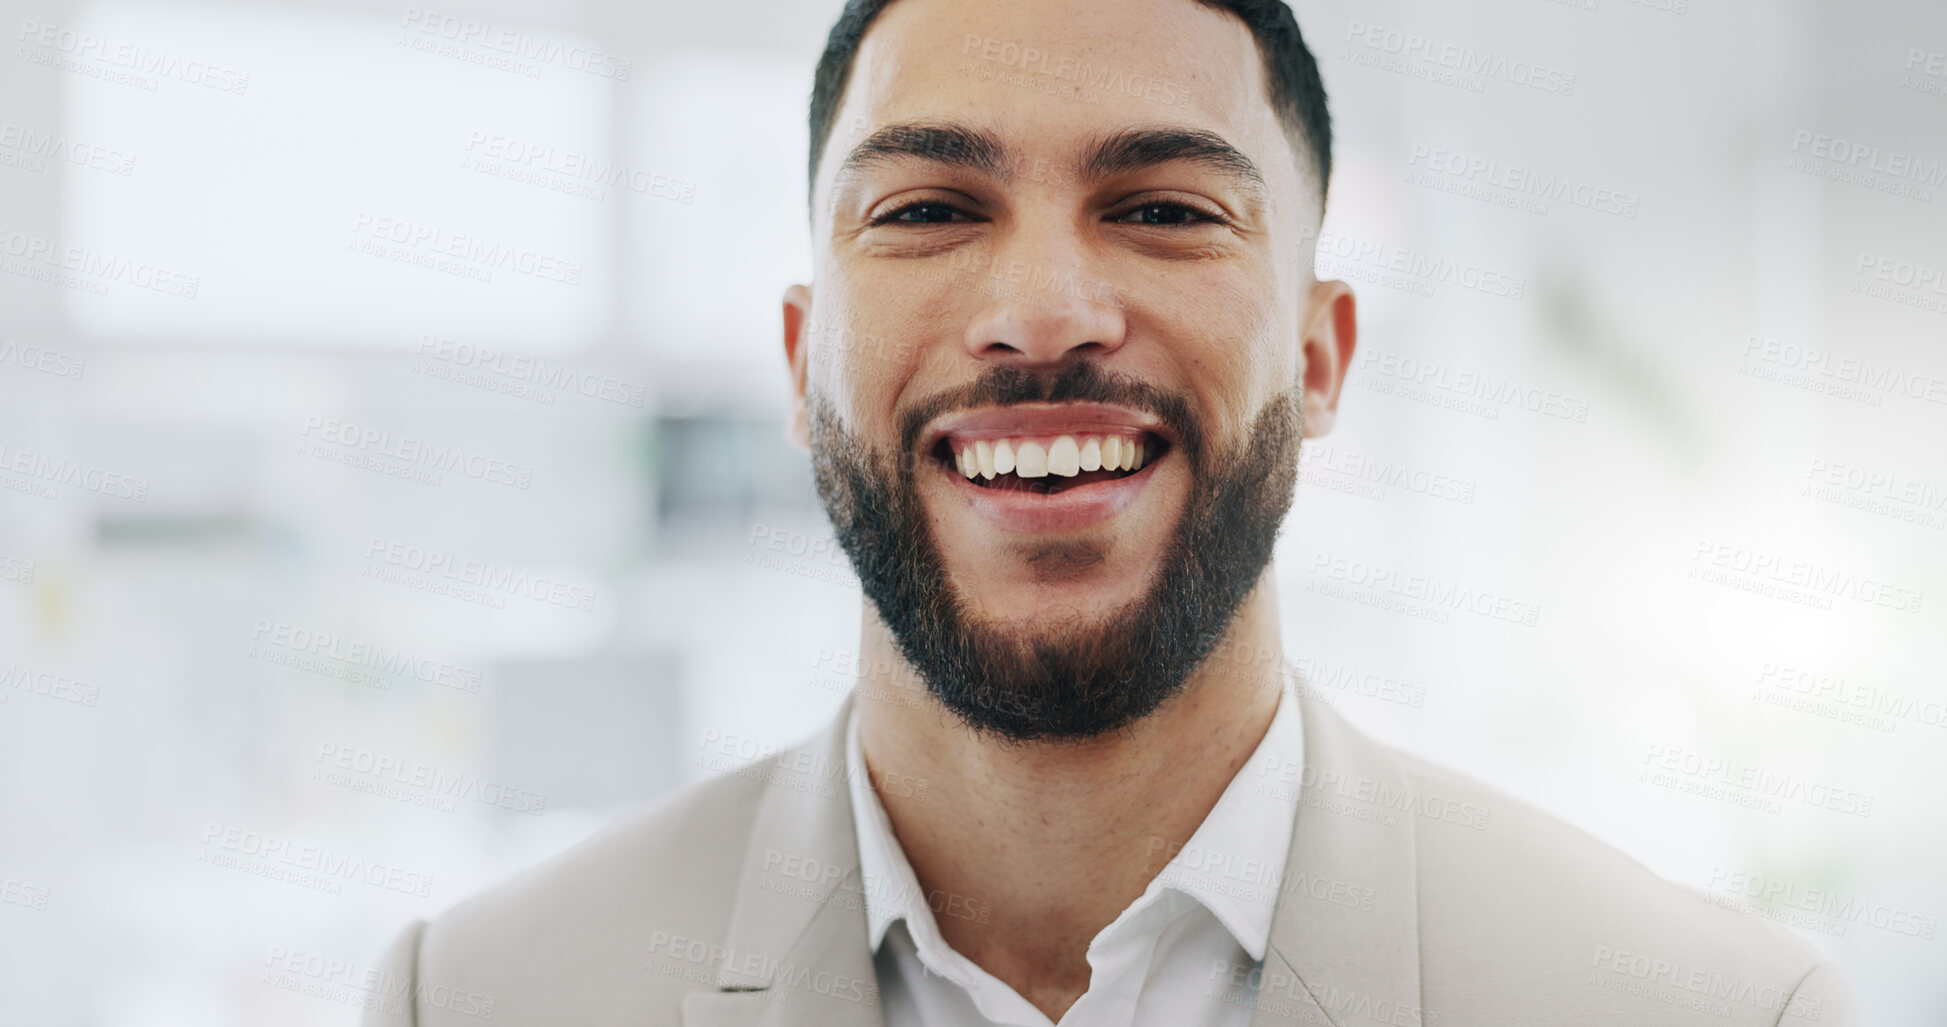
(1187, 954)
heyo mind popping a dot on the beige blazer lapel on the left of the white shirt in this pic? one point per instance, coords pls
(797, 952)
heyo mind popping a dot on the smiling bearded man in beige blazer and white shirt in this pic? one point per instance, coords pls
(1064, 346)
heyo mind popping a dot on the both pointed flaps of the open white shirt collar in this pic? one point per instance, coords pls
(1233, 864)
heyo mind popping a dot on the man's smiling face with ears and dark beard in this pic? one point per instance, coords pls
(1047, 231)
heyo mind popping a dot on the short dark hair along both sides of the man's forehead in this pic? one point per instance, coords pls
(1292, 75)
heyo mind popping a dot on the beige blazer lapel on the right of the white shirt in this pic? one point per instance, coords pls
(1346, 932)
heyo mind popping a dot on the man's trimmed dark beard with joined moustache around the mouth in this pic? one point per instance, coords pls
(1078, 681)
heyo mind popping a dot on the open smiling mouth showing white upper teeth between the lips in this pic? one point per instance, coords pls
(1048, 465)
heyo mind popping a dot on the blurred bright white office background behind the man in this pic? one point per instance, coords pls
(1685, 418)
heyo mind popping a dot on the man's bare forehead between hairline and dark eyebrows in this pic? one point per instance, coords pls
(1050, 77)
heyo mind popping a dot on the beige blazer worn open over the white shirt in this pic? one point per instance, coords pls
(1413, 897)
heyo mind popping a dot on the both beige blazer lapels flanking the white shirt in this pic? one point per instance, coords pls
(1344, 936)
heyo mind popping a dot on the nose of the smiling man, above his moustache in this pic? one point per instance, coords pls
(1043, 311)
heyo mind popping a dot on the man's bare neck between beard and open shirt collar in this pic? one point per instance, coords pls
(1052, 841)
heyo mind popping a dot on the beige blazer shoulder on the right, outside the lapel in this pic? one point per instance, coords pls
(1510, 892)
